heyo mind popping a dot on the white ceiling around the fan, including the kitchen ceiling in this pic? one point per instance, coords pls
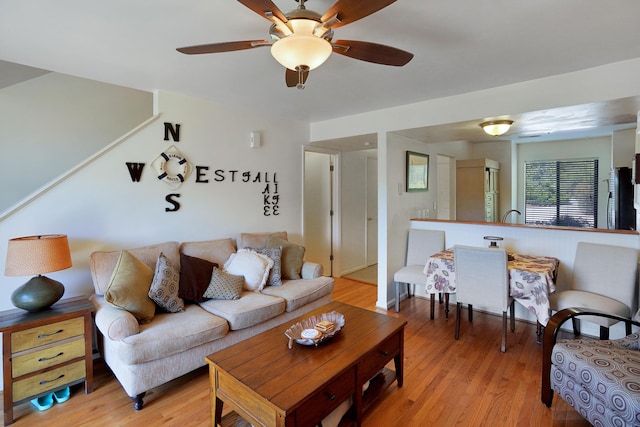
(459, 46)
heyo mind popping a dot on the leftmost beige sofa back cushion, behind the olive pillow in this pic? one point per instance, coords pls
(102, 263)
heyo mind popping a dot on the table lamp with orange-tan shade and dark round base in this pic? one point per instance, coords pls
(36, 255)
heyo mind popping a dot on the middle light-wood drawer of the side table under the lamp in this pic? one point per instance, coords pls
(50, 356)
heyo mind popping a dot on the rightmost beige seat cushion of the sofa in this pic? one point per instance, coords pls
(300, 292)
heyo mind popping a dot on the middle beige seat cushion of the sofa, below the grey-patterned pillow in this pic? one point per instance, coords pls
(251, 309)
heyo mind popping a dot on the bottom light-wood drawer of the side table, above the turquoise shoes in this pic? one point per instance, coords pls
(50, 380)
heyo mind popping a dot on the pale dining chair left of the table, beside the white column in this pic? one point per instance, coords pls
(421, 244)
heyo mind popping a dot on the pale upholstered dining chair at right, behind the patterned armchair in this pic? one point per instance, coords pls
(604, 278)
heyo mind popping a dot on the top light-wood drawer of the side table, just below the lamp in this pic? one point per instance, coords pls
(46, 334)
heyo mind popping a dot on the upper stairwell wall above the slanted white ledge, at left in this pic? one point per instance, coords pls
(53, 122)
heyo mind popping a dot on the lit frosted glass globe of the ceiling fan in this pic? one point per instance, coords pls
(297, 50)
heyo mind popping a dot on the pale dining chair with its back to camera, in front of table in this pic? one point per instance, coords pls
(482, 278)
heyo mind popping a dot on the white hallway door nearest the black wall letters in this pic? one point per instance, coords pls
(318, 208)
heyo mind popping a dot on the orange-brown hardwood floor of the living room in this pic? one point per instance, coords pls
(467, 382)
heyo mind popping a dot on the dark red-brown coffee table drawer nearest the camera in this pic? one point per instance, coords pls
(326, 399)
